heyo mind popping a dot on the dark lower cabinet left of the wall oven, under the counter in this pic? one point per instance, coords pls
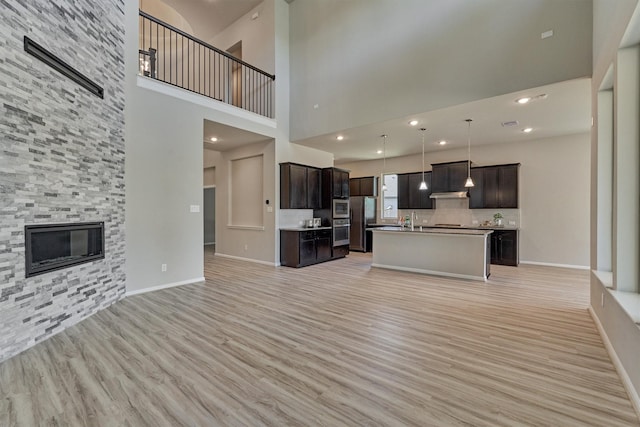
(300, 248)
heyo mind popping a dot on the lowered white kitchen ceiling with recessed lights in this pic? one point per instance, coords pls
(565, 110)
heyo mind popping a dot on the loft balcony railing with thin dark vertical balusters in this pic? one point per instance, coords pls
(175, 57)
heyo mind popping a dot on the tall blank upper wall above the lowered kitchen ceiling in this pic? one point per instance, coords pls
(363, 64)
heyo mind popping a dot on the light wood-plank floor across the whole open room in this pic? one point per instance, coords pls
(333, 344)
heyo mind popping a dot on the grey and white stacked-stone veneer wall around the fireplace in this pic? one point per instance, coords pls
(61, 160)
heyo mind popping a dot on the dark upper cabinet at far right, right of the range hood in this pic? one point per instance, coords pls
(496, 187)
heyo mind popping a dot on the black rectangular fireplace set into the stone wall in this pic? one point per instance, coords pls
(54, 246)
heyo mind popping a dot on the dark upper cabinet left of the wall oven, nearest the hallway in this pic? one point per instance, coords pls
(299, 186)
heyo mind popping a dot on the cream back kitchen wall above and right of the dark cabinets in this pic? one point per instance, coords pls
(554, 191)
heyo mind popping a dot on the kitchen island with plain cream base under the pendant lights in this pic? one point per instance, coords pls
(453, 252)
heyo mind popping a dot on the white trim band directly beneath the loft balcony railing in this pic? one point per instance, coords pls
(202, 100)
